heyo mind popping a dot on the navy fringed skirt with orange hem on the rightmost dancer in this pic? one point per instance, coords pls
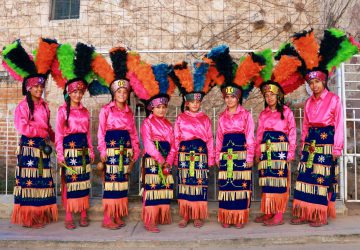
(316, 186)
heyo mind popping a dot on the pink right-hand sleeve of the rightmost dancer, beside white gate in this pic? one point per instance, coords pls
(339, 129)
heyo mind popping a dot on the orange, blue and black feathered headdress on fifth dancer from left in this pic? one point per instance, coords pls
(193, 84)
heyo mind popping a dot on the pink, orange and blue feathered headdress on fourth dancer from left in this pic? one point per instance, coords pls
(152, 84)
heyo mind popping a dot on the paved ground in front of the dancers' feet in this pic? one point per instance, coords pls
(345, 231)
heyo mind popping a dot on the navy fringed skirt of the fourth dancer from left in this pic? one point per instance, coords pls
(158, 189)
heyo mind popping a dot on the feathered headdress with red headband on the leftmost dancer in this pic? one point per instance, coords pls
(26, 68)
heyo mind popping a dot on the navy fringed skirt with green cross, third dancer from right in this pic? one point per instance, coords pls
(234, 181)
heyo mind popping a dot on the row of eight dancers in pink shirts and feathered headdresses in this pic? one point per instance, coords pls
(189, 146)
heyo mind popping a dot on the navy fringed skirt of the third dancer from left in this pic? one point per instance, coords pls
(119, 151)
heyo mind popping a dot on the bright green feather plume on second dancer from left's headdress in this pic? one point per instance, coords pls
(66, 56)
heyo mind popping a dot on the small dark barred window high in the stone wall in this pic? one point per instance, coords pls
(65, 9)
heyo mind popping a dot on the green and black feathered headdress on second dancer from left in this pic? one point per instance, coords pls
(72, 69)
